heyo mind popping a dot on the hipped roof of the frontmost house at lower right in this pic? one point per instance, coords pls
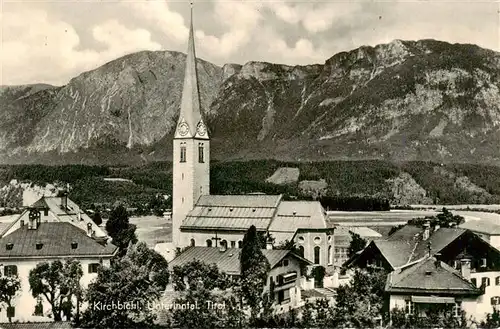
(429, 276)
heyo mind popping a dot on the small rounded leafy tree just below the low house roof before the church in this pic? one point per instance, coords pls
(188, 276)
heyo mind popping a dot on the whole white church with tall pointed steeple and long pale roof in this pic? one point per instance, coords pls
(204, 220)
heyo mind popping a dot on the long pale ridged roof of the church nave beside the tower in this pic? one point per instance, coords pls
(235, 212)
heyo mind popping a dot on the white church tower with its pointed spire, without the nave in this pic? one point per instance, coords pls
(191, 158)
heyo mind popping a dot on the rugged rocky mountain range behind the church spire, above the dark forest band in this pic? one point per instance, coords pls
(406, 100)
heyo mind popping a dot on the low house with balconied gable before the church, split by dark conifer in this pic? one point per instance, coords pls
(285, 274)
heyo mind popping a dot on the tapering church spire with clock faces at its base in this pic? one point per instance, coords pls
(190, 118)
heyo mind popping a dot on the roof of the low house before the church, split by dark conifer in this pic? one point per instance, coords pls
(227, 261)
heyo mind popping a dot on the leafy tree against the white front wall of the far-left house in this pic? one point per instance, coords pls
(58, 283)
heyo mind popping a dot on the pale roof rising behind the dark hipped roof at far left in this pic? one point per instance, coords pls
(72, 213)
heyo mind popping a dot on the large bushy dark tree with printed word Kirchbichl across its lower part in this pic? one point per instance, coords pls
(136, 280)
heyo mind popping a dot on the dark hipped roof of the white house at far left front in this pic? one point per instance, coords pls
(56, 239)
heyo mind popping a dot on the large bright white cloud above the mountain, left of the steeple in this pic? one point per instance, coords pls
(39, 49)
